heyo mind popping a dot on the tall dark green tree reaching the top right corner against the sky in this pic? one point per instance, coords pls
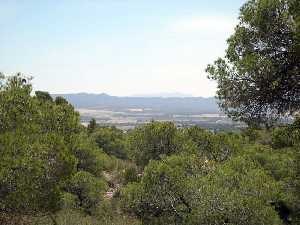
(258, 80)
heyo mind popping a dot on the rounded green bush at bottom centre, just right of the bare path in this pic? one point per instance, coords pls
(164, 194)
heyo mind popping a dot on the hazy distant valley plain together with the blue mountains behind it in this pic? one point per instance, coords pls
(128, 112)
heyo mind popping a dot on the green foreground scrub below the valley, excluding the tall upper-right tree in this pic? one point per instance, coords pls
(56, 171)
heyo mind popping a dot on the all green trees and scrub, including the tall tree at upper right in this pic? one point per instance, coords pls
(53, 170)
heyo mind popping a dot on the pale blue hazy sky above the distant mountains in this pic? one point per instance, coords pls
(120, 47)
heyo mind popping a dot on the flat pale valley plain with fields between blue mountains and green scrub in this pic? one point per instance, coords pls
(130, 118)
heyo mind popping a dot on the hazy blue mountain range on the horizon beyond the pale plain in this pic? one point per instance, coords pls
(187, 105)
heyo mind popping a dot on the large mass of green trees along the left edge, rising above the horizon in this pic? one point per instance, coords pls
(45, 153)
